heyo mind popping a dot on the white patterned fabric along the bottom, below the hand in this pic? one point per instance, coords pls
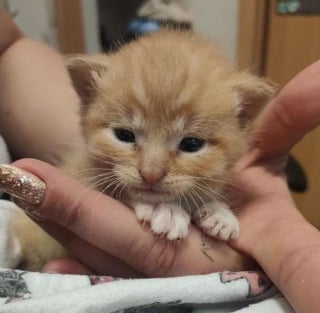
(217, 293)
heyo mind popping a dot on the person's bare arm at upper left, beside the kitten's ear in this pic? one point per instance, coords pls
(38, 105)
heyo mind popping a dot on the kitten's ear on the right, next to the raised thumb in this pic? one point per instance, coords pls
(253, 94)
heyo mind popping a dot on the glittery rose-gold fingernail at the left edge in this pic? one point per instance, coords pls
(21, 184)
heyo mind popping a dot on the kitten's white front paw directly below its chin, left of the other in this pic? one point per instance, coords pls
(172, 220)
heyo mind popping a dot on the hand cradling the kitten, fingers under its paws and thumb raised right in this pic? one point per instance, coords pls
(260, 173)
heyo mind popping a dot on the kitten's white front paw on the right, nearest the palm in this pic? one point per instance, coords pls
(217, 220)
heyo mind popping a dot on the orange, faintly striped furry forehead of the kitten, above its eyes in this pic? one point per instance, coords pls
(166, 76)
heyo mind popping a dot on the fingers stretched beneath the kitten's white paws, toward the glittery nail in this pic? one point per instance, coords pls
(87, 218)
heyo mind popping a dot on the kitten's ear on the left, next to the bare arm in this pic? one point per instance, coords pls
(85, 72)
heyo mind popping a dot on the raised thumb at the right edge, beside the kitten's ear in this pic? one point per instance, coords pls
(293, 113)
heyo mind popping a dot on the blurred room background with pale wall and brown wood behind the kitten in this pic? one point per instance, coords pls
(272, 38)
